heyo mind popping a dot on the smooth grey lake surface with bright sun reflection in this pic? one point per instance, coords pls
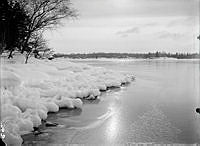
(159, 106)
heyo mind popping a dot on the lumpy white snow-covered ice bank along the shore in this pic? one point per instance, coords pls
(30, 91)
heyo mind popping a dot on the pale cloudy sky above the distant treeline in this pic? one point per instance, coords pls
(131, 26)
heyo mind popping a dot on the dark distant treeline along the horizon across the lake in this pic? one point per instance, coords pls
(130, 55)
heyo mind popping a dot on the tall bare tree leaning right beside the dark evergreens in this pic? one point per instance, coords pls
(45, 14)
